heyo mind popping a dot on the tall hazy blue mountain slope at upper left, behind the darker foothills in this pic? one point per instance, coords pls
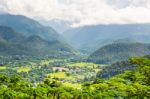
(29, 27)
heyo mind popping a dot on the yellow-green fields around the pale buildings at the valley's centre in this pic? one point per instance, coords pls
(79, 71)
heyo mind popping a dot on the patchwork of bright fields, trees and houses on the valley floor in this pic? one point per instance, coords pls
(63, 70)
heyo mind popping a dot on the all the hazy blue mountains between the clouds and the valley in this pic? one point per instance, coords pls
(103, 43)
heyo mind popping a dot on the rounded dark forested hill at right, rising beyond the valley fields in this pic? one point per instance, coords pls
(119, 52)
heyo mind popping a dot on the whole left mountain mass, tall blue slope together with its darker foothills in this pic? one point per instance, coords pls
(20, 35)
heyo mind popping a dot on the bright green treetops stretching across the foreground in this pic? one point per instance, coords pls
(133, 84)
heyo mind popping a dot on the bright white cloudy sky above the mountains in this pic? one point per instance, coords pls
(81, 12)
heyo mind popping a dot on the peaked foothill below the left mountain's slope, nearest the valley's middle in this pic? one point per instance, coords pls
(45, 47)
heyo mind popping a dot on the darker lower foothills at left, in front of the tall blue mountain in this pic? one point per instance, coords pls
(15, 43)
